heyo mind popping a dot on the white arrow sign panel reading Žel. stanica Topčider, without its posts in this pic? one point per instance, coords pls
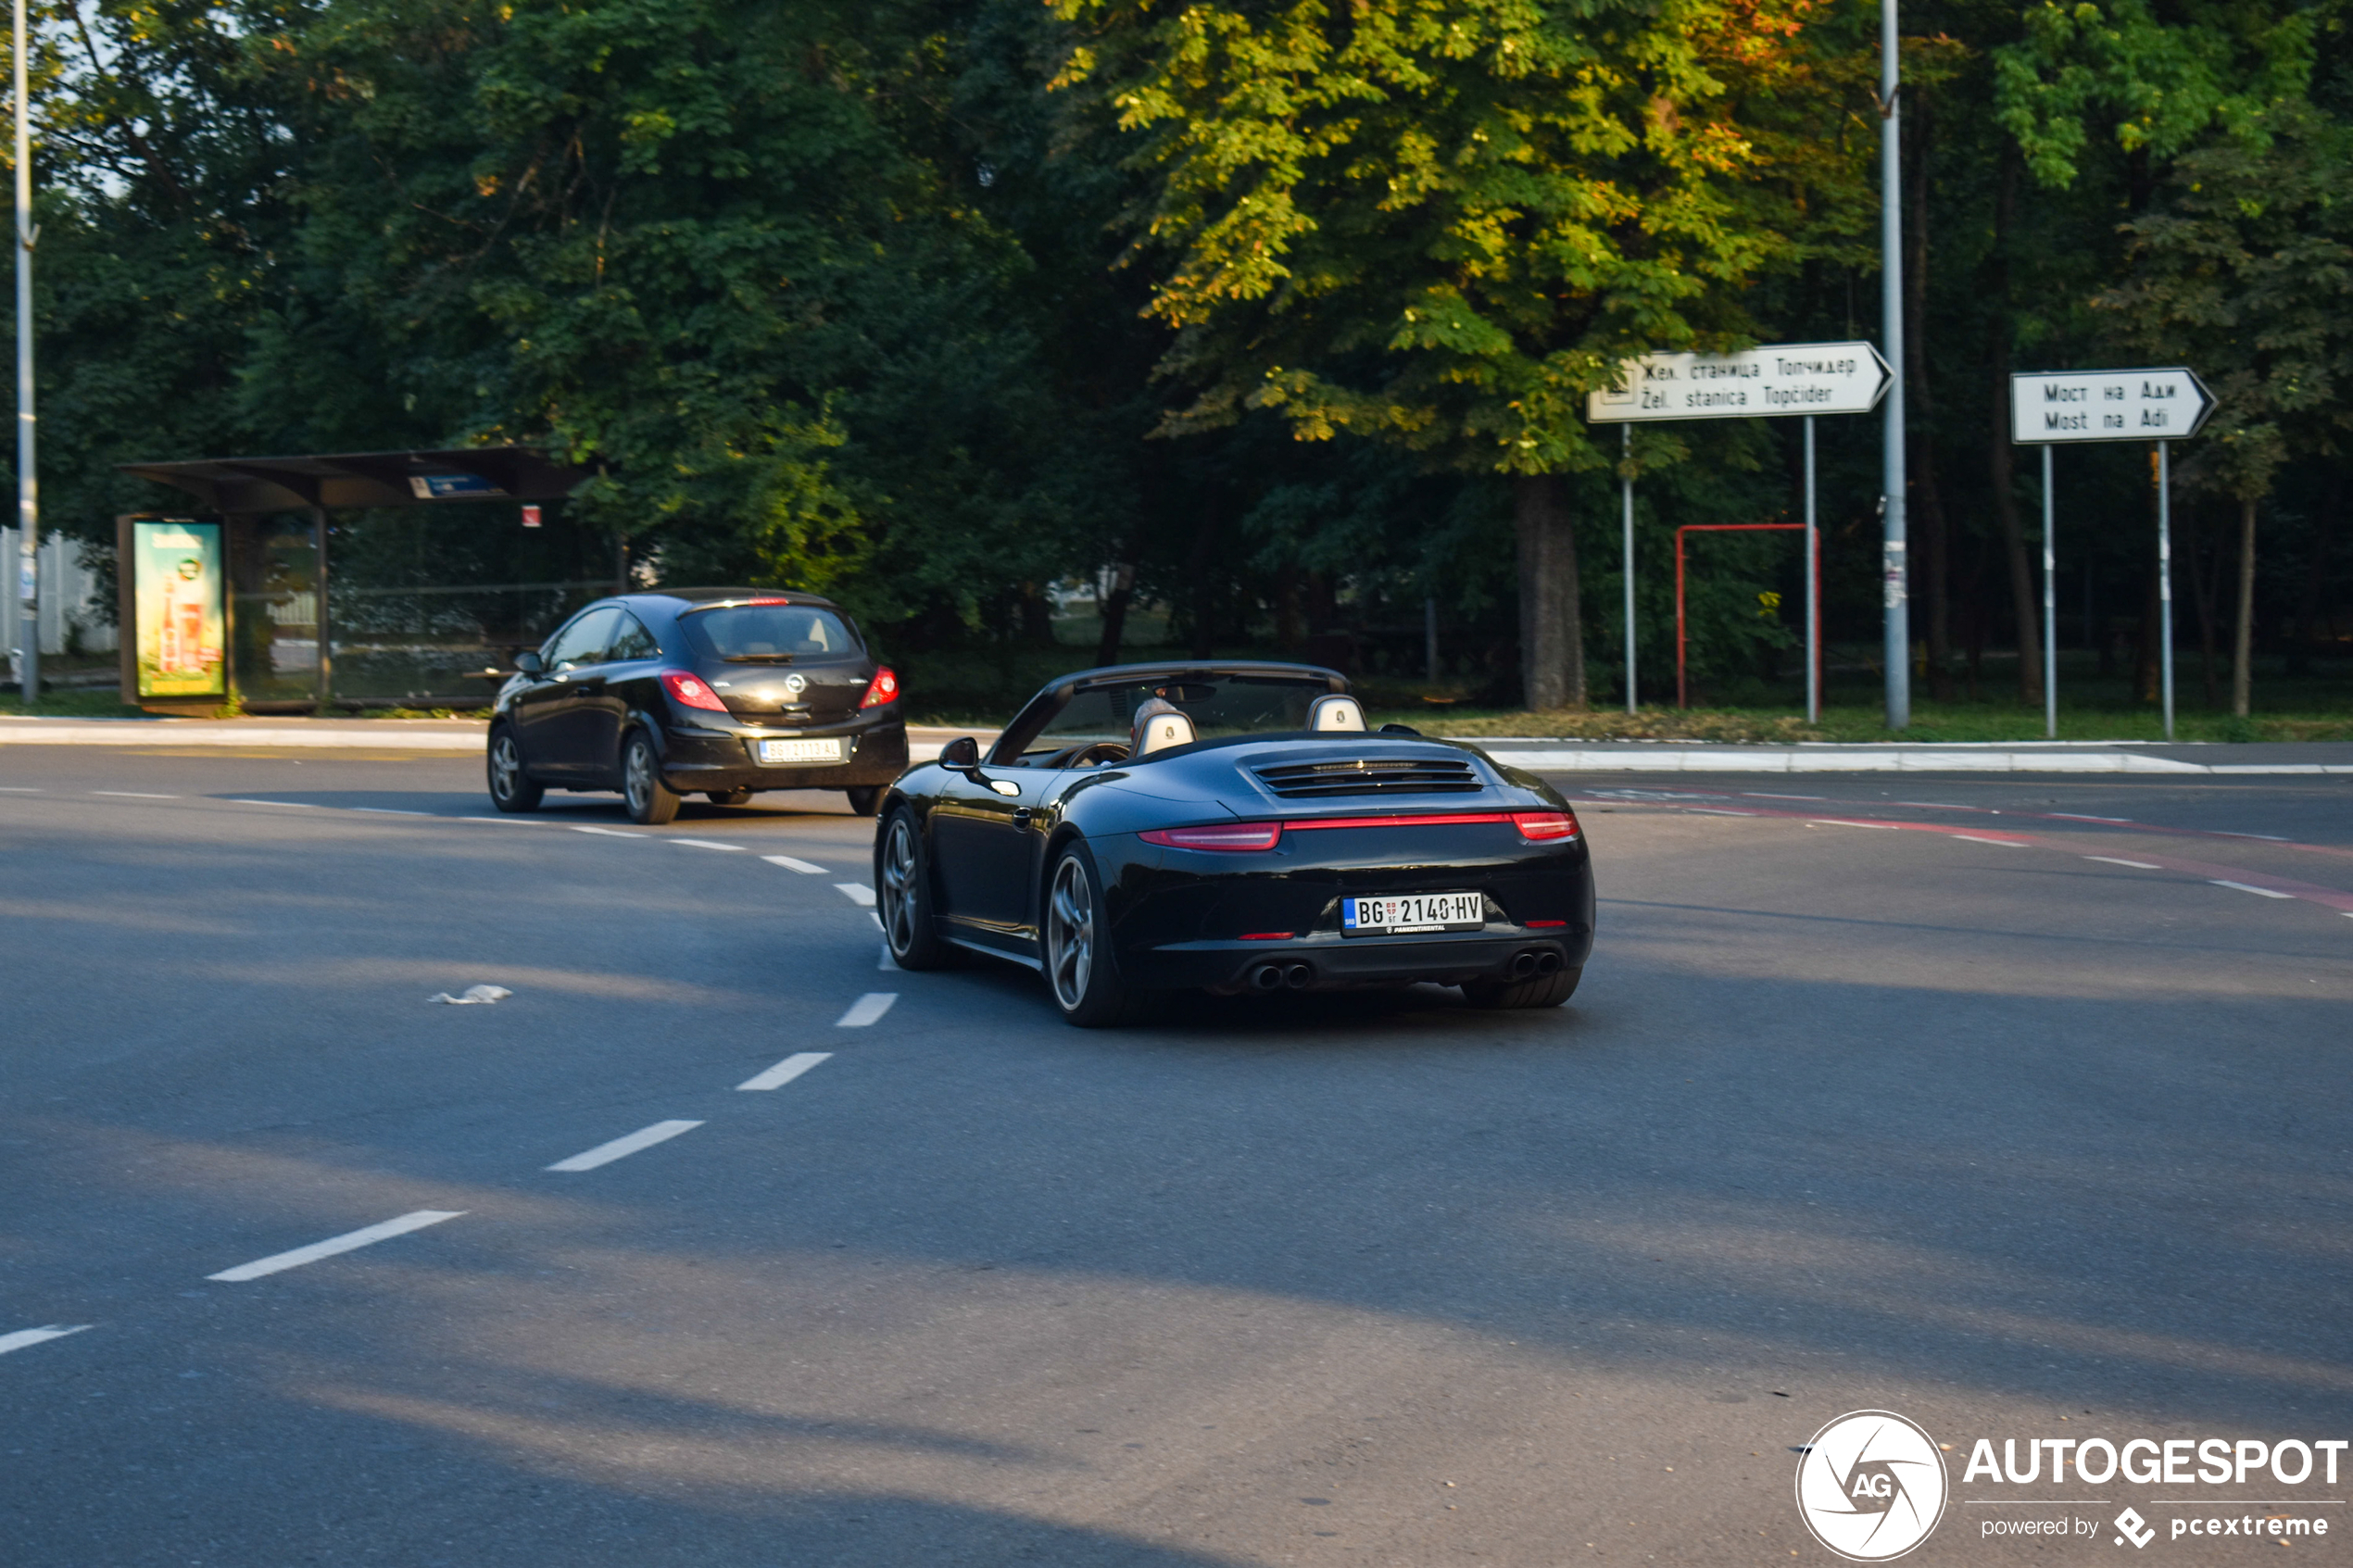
(1771, 382)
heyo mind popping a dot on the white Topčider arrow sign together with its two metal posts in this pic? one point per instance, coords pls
(1773, 382)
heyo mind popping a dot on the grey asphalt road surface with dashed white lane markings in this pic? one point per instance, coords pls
(1877, 1097)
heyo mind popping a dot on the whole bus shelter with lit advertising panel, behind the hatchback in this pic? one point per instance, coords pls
(241, 601)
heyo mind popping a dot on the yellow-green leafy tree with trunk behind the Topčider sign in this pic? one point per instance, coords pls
(1444, 222)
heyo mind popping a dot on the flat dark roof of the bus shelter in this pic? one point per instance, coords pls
(368, 478)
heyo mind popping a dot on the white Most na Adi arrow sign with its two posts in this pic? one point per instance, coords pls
(2109, 406)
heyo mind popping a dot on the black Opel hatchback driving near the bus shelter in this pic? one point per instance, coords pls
(714, 692)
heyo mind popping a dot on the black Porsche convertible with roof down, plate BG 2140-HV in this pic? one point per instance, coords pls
(1232, 829)
